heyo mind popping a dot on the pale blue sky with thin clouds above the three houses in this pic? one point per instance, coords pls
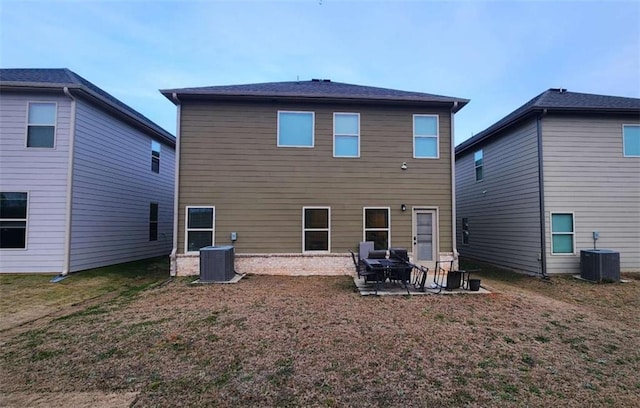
(499, 54)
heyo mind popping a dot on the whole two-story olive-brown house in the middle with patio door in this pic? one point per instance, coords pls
(295, 174)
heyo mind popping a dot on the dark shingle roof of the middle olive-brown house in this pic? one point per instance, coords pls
(313, 89)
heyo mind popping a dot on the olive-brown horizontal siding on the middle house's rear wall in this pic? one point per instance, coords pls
(229, 159)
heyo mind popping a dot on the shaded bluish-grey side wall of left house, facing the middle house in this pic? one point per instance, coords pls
(113, 186)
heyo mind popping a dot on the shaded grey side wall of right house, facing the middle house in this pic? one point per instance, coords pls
(503, 209)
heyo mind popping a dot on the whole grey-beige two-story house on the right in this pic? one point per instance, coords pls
(534, 187)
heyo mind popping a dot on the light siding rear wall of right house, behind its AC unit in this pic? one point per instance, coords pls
(585, 173)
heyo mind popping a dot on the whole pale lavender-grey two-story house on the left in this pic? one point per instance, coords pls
(85, 181)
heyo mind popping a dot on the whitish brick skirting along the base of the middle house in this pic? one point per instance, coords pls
(282, 264)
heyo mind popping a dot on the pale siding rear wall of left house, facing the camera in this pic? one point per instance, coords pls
(43, 174)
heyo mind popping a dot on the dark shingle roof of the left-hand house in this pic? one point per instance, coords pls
(63, 77)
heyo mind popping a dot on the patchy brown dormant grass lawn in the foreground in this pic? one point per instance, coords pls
(312, 341)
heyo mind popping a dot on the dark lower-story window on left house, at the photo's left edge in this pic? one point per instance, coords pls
(13, 220)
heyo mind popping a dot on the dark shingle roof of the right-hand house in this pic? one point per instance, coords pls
(555, 99)
